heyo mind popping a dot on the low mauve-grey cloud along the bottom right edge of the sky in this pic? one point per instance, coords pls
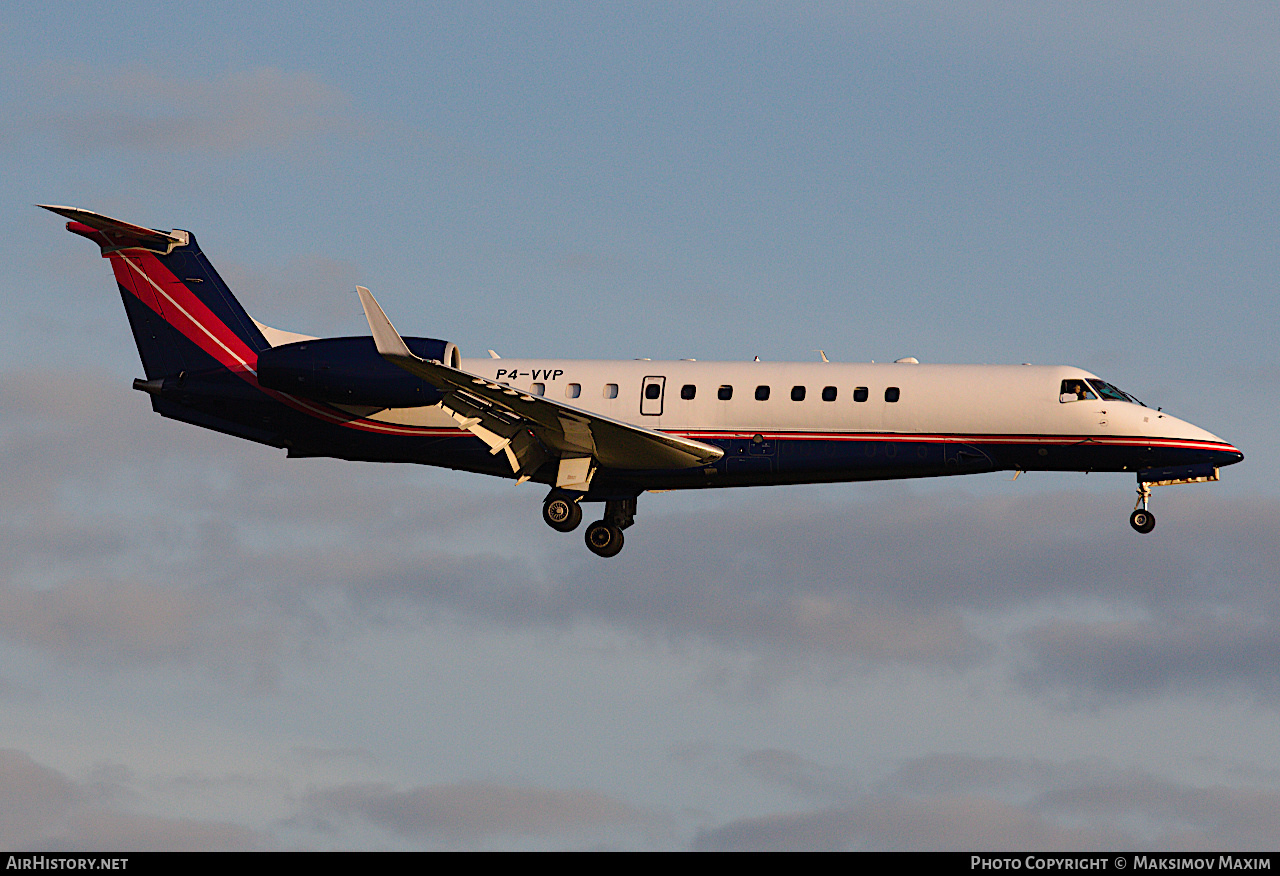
(963, 802)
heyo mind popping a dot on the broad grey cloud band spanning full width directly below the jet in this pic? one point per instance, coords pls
(135, 539)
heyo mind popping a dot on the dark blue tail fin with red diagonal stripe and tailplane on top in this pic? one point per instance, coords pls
(182, 314)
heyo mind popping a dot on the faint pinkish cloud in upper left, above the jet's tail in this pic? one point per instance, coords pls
(153, 112)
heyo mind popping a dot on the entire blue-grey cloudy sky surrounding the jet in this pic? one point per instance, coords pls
(207, 646)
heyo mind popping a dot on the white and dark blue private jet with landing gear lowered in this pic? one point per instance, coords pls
(609, 431)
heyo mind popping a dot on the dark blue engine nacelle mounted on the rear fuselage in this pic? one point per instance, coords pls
(351, 372)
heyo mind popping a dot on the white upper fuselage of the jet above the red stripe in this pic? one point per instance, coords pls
(975, 401)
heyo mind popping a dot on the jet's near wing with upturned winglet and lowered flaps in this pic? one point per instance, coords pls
(532, 430)
